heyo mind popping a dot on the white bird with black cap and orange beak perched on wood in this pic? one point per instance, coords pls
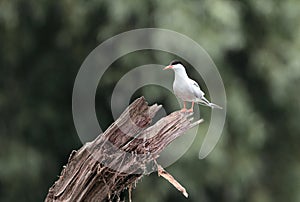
(187, 89)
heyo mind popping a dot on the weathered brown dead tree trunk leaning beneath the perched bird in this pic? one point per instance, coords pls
(100, 170)
